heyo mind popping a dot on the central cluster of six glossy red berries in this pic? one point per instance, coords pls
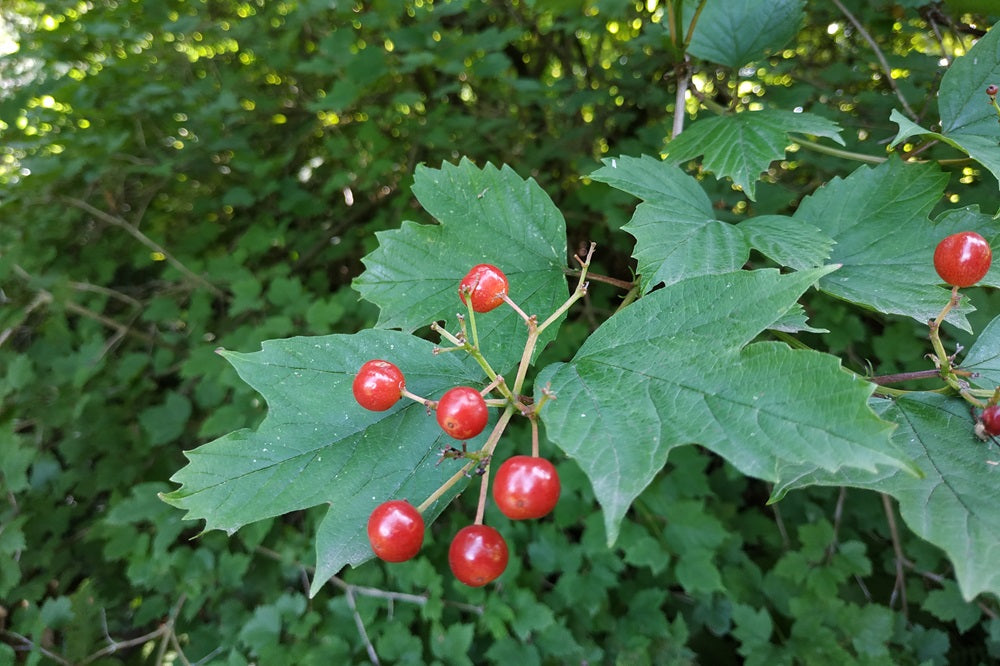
(524, 487)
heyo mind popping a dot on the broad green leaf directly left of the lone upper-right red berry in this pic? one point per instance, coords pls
(884, 239)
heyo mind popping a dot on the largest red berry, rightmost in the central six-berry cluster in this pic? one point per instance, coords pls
(526, 487)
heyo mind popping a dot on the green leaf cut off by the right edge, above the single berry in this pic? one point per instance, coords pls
(968, 121)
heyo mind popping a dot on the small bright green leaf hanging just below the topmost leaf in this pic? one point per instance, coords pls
(743, 145)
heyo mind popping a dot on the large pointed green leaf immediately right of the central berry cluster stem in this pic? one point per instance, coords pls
(676, 368)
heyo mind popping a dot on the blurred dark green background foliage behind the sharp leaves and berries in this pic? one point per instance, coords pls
(178, 176)
